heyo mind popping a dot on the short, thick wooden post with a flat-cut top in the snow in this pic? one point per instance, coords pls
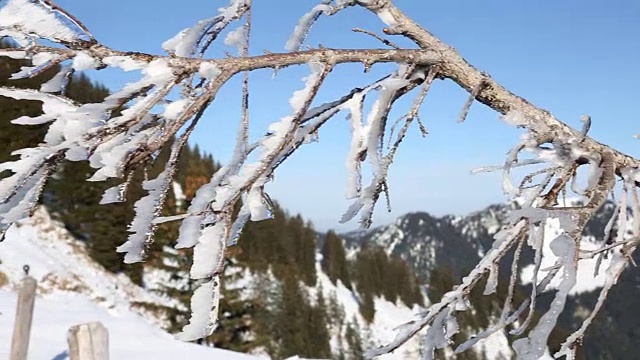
(88, 341)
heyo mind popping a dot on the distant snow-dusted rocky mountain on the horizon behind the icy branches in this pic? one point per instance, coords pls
(457, 242)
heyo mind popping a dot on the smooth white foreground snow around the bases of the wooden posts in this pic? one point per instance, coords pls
(130, 336)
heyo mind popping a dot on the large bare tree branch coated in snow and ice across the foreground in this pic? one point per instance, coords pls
(136, 121)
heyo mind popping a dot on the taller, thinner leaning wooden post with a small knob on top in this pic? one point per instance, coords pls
(24, 317)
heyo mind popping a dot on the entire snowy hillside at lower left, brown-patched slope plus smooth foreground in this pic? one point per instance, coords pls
(73, 289)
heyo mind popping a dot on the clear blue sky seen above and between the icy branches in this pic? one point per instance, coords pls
(570, 57)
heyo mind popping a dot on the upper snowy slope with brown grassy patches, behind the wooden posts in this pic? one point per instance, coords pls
(60, 263)
